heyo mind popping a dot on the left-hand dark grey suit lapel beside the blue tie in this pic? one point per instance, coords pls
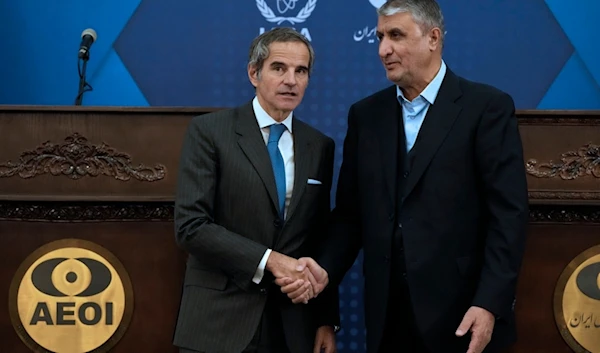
(253, 145)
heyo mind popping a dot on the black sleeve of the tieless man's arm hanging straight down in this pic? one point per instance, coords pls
(502, 172)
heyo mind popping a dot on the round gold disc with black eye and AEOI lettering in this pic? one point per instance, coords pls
(71, 296)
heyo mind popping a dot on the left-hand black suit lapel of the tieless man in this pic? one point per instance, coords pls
(390, 115)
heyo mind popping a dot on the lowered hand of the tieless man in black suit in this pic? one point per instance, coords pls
(481, 324)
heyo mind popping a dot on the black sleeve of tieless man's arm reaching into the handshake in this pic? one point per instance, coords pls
(344, 241)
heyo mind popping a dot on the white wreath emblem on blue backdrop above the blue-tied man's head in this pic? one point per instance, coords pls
(284, 8)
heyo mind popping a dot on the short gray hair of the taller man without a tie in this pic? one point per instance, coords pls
(426, 13)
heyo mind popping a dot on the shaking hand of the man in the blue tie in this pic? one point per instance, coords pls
(295, 273)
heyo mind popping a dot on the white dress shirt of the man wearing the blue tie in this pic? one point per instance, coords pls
(286, 147)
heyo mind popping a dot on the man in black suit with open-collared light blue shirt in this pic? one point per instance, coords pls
(433, 189)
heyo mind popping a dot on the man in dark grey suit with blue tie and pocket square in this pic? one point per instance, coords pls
(252, 198)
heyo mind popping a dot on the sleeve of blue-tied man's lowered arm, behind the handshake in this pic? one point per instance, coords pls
(326, 306)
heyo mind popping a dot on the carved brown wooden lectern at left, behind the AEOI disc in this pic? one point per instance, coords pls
(107, 175)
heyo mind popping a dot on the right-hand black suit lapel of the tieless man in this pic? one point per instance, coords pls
(438, 122)
